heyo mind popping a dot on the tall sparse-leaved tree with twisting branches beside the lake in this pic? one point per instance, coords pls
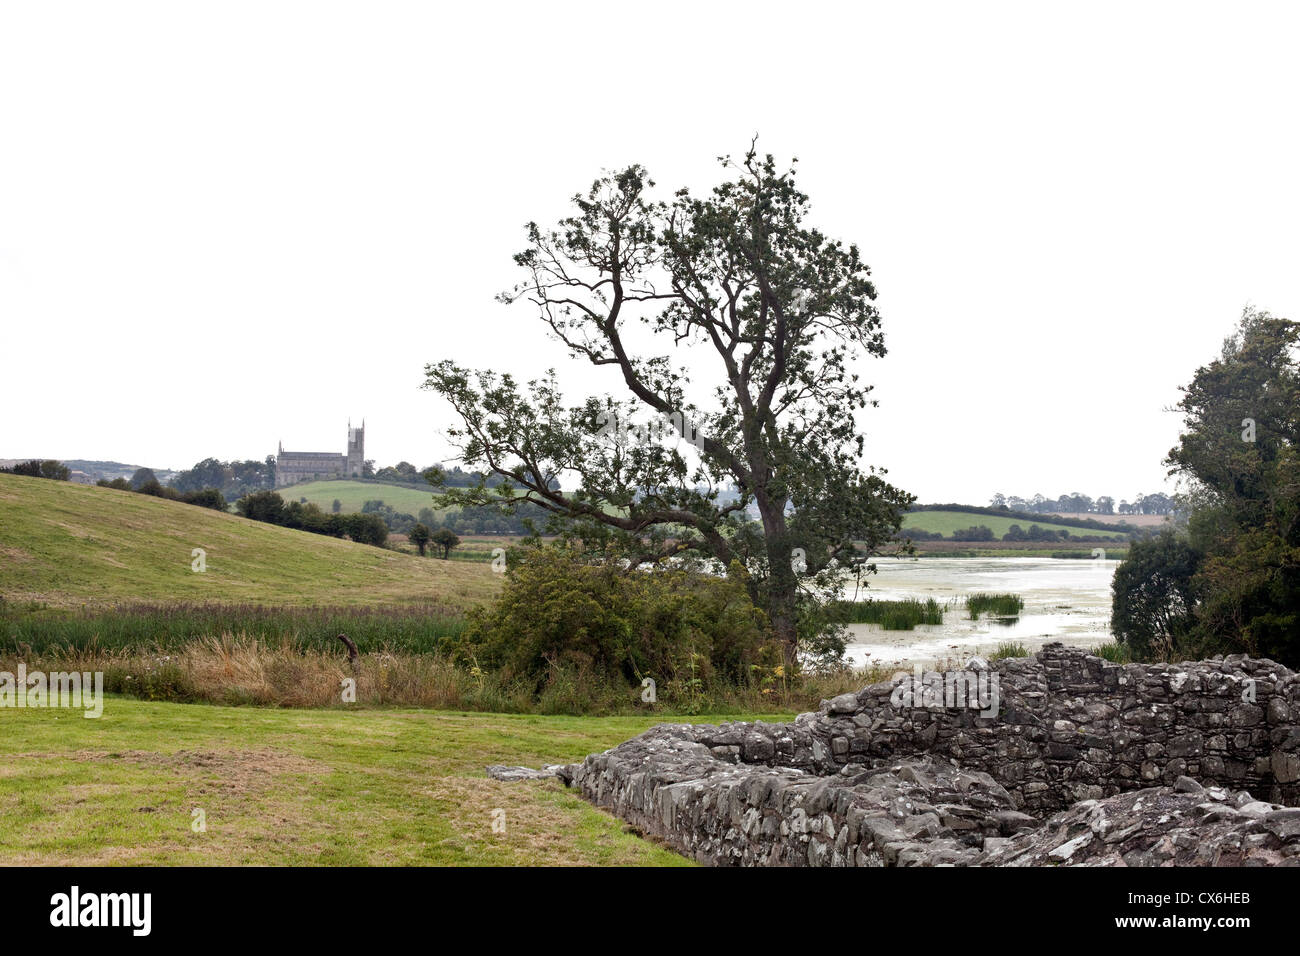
(770, 317)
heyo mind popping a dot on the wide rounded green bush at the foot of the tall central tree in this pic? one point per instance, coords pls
(557, 612)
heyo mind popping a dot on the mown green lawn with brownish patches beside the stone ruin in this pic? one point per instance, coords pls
(302, 788)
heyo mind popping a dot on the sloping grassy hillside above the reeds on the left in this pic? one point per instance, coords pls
(70, 546)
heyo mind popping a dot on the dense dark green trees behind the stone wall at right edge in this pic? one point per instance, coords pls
(1228, 579)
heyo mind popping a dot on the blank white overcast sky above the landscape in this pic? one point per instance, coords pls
(228, 226)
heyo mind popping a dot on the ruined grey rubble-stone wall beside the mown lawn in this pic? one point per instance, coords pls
(869, 781)
